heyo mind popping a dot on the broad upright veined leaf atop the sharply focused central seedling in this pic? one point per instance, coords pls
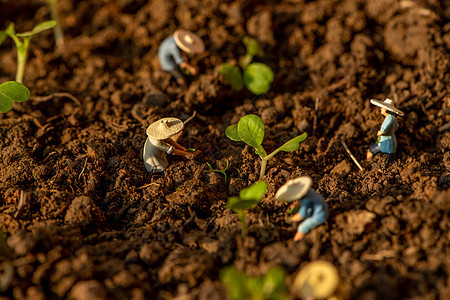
(251, 131)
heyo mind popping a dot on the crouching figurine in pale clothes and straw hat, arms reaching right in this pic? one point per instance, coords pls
(159, 143)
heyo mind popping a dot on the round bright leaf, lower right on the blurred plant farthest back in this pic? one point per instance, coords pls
(257, 78)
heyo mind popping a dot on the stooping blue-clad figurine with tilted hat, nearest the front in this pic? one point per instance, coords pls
(313, 209)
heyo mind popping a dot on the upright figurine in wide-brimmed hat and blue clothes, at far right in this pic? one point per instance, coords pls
(386, 141)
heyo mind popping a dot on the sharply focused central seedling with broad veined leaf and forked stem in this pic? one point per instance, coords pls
(250, 130)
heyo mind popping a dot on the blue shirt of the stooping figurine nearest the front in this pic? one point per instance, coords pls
(313, 206)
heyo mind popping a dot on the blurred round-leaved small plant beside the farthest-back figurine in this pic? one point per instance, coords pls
(257, 77)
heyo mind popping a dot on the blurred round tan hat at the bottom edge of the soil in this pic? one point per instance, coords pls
(319, 279)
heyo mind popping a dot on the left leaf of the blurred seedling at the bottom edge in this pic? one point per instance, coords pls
(236, 283)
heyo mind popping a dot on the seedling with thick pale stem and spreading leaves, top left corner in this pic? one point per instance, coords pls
(22, 41)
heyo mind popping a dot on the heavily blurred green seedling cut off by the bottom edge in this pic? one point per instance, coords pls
(240, 286)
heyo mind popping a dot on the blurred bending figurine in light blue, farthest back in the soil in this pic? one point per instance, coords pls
(172, 51)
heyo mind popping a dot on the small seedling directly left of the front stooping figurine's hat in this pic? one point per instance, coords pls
(248, 198)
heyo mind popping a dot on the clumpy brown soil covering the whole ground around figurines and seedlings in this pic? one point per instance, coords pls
(98, 226)
